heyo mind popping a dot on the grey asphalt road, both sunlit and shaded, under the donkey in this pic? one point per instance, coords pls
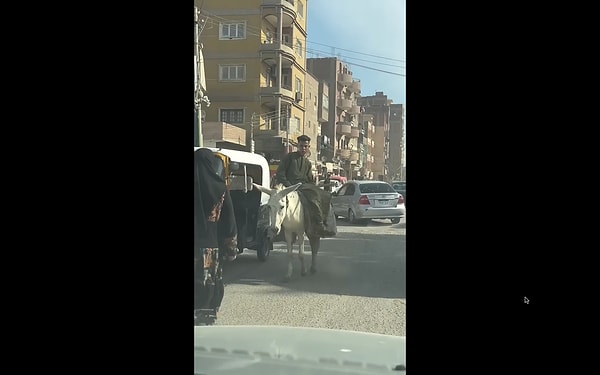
(360, 284)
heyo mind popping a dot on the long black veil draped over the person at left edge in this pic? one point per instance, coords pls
(214, 220)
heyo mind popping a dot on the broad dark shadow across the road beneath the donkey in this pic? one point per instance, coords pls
(374, 265)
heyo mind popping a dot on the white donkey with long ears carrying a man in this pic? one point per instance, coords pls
(285, 209)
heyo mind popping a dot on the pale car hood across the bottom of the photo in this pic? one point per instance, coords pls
(295, 350)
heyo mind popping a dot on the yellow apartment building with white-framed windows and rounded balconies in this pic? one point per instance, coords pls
(255, 66)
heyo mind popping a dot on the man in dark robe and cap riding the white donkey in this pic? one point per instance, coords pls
(295, 167)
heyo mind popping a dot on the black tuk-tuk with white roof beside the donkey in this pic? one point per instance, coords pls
(241, 170)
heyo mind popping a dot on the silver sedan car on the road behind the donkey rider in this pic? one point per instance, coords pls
(365, 200)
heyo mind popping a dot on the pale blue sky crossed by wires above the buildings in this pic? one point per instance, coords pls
(371, 34)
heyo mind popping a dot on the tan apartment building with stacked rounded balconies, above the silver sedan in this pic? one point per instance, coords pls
(339, 142)
